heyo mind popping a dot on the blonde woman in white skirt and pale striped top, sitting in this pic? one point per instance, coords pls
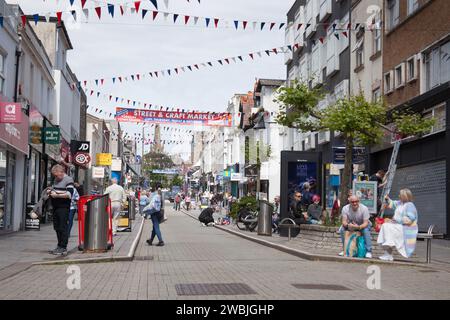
(401, 231)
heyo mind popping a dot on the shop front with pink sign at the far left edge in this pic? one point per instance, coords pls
(13, 152)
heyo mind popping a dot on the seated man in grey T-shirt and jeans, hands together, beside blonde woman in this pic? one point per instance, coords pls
(355, 217)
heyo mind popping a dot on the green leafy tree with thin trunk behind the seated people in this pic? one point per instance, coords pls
(360, 122)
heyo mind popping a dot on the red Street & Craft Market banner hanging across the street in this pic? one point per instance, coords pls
(182, 118)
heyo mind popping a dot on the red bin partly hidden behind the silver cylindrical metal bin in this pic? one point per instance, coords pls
(95, 223)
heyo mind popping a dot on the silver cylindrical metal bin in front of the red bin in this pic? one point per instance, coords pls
(96, 224)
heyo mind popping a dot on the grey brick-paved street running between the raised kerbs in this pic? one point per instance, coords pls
(200, 255)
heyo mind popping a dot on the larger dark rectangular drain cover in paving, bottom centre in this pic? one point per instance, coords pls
(211, 289)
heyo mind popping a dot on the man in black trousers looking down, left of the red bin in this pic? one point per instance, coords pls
(61, 194)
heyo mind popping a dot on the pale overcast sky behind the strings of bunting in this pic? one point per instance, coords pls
(128, 45)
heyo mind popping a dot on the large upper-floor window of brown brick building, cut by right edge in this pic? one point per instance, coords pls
(437, 66)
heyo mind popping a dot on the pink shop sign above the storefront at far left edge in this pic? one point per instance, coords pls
(16, 135)
